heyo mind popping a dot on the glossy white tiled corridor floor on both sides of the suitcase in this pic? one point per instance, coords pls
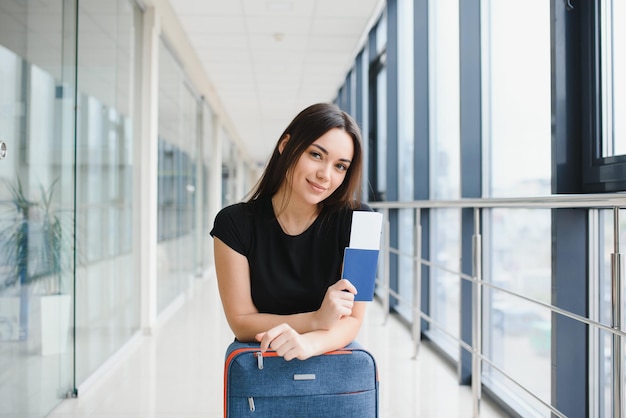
(179, 372)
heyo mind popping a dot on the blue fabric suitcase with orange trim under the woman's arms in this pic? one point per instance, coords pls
(340, 383)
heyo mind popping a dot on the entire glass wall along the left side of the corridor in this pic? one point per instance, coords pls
(70, 298)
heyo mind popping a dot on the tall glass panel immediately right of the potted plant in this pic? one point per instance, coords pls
(107, 290)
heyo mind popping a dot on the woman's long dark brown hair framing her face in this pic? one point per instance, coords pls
(304, 129)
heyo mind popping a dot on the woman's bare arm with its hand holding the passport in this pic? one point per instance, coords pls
(233, 278)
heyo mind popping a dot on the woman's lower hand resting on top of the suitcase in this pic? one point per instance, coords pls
(287, 343)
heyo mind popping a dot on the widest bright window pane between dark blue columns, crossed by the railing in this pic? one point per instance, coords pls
(517, 162)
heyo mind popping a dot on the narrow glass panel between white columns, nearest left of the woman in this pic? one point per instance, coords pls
(178, 139)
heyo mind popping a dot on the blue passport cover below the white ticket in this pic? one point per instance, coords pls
(359, 267)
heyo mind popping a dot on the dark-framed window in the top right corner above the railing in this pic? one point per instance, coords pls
(603, 61)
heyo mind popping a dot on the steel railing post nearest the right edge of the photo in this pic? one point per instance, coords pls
(616, 292)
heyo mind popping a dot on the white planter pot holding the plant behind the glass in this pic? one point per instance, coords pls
(55, 323)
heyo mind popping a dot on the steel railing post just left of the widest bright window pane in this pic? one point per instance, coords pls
(477, 307)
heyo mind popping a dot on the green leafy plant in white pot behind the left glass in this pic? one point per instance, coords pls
(35, 254)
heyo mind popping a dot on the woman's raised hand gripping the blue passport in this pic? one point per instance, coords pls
(337, 304)
